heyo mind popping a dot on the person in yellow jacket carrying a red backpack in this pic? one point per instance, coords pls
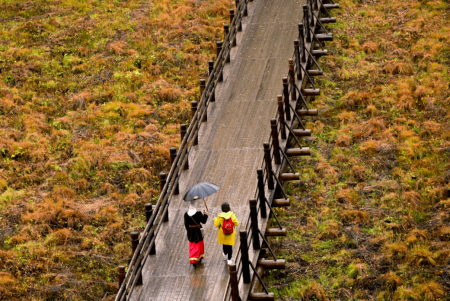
(227, 240)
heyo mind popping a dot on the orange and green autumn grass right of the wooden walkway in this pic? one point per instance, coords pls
(369, 218)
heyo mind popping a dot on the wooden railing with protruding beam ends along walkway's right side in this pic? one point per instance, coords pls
(297, 93)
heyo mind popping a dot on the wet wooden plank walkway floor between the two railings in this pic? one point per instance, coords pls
(229, 152)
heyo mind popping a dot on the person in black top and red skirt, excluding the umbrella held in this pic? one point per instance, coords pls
(192, 222)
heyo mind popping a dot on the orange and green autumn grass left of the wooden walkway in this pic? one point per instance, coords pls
(91, 95)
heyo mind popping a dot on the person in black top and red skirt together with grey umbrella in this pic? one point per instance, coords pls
(193, 219)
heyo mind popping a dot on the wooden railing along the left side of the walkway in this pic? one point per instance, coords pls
(145, 246)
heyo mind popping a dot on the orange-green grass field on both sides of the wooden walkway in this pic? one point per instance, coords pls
(91, 95)
